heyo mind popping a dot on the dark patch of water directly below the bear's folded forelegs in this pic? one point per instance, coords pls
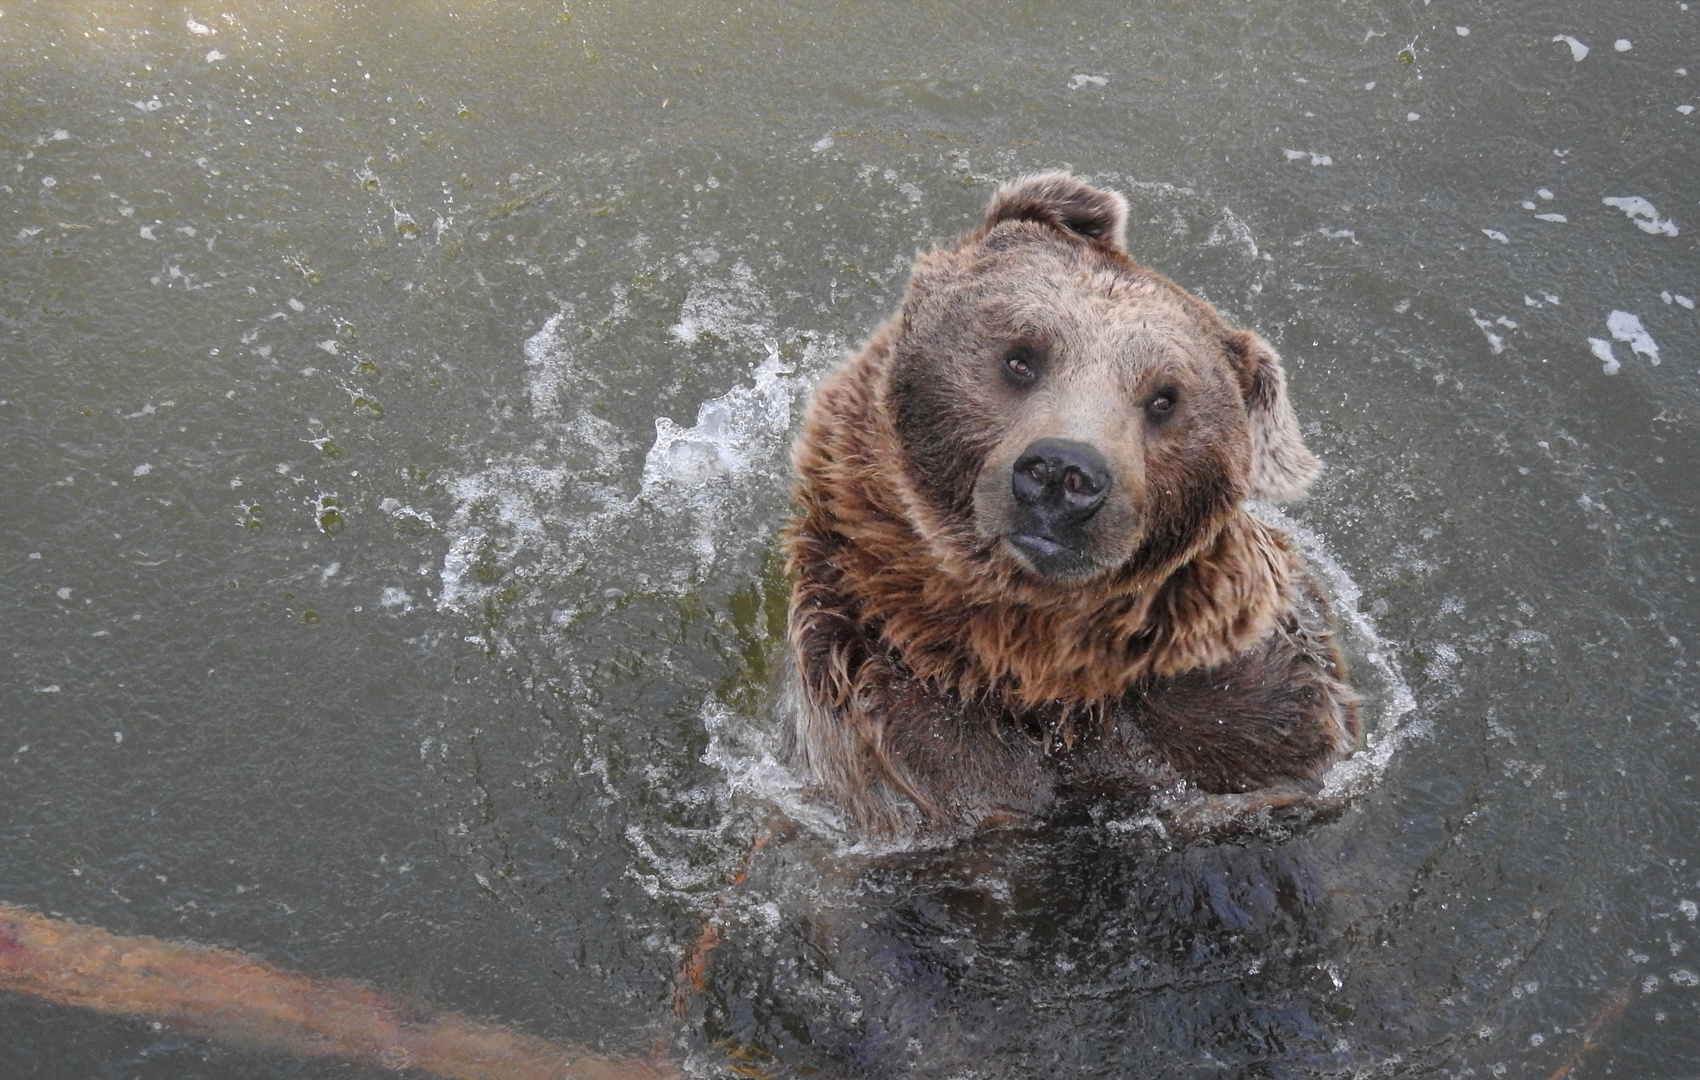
(1080, 948)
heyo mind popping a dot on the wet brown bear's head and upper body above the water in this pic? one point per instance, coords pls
(1023, 566)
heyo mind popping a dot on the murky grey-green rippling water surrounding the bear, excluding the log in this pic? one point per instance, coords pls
(395, 409)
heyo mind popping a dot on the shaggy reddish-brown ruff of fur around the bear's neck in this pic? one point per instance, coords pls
(968, 620)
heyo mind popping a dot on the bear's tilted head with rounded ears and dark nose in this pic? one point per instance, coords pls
(1063, 414)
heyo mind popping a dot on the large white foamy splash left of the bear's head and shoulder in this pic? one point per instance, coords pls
(528, 521)
